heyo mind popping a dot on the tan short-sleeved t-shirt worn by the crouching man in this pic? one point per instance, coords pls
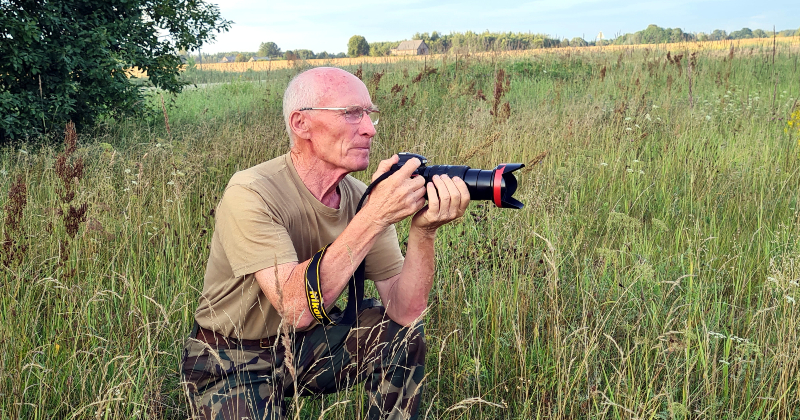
(267, 217)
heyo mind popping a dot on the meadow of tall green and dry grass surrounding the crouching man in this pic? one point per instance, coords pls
(653, 273)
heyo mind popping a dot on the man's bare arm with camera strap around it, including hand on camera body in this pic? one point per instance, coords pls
(394, 199)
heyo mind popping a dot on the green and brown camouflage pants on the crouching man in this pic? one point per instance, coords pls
(235, 382)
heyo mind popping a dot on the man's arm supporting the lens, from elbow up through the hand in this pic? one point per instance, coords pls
(406, 294)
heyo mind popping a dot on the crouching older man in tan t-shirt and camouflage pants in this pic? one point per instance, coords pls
(272, 219)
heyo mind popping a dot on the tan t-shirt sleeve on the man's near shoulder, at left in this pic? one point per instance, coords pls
(252, 234)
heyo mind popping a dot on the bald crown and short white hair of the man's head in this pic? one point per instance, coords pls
(317, 87)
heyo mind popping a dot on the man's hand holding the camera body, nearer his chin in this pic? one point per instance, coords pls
(398, 196)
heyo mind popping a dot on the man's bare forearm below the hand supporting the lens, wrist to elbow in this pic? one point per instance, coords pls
(409, 295)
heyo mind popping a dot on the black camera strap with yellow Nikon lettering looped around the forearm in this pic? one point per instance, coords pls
(355, 293)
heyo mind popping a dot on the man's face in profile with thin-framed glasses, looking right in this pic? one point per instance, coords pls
(339, 143)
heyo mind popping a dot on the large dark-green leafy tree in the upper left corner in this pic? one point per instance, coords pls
(67, 59)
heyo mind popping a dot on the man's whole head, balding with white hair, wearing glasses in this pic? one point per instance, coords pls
(329, 135)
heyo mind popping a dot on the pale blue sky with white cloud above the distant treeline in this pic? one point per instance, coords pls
(324, 25)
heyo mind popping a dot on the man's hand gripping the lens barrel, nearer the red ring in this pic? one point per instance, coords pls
(448, 199)
